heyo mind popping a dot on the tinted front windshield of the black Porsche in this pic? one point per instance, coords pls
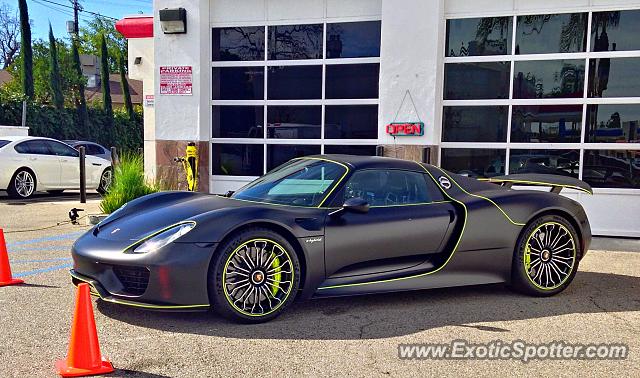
(302, 182)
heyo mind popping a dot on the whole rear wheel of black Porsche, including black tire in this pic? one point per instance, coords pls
(546, 257)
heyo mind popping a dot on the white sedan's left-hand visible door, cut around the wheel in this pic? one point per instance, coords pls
(42, 161)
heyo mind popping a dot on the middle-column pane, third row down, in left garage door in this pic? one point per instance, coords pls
(294, 122)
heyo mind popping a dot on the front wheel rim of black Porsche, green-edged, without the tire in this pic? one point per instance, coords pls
(260, 277)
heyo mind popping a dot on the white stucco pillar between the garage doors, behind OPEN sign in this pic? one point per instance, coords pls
(411, 60)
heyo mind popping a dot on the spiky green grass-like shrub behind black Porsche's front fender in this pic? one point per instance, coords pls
(128, 183)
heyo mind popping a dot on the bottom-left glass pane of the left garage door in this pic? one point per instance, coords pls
(237, 159)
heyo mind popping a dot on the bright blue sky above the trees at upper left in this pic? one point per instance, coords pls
(41, 12)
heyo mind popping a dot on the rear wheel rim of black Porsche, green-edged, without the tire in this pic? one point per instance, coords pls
(550, 253)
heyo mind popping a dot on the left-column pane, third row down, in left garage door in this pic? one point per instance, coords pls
(238, 121)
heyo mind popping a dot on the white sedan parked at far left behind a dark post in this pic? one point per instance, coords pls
(28, 164)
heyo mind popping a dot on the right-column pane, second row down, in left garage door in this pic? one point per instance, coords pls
(352, 81)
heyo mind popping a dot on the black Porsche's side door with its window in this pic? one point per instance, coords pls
(407, 221)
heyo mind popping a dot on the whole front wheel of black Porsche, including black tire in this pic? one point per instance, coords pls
(254, 276)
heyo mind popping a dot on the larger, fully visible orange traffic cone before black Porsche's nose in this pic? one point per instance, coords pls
(84, 356)
